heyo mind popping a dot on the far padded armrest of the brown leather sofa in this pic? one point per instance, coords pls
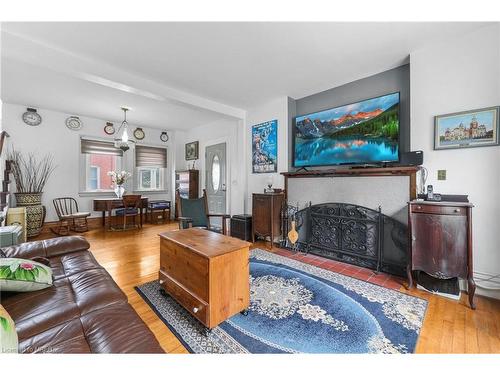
(47, 248)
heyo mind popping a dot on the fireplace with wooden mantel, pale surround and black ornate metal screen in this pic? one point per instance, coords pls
(374, 237)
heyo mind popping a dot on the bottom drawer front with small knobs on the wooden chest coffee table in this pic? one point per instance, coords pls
(195, 306)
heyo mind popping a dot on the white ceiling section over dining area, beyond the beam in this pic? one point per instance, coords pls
(43, 88)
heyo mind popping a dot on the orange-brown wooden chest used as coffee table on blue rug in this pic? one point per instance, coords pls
(206, 272)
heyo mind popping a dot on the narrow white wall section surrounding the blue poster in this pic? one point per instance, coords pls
(276, 109)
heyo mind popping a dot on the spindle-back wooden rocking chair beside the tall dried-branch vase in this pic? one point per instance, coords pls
(70, 217)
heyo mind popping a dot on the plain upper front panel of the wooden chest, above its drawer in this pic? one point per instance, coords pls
(186, 267)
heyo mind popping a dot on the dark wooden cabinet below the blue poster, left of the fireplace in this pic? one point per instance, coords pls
(266, 215)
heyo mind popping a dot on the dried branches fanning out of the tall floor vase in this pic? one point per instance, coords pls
(30, 173)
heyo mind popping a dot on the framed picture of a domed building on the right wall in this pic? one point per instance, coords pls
(467, 129)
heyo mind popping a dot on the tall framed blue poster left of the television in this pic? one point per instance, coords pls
(265, 147)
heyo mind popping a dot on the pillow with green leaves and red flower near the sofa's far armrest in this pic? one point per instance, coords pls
(23, 275)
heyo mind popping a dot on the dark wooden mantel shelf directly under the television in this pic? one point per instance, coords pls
(343, 172)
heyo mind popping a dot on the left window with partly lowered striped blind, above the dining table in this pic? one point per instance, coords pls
(97, 159)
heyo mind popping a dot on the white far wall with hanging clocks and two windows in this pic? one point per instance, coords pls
(53, 137)
